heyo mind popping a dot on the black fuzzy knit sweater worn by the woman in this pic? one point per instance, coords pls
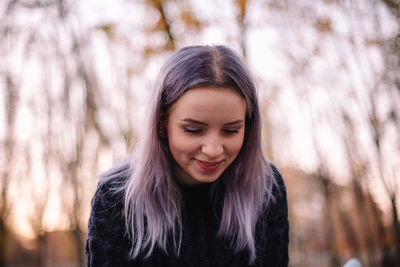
(107, 243)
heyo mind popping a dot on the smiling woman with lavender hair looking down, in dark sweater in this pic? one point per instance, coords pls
(197, 190)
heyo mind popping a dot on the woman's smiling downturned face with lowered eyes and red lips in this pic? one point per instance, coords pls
(205, 129)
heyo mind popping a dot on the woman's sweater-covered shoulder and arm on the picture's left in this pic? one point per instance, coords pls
(107, 243)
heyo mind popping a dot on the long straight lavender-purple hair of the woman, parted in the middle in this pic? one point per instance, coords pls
(152, 198)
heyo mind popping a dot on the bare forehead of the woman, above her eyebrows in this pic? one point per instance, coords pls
(208, 102)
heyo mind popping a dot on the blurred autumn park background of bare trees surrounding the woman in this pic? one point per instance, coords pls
(74, 76)
